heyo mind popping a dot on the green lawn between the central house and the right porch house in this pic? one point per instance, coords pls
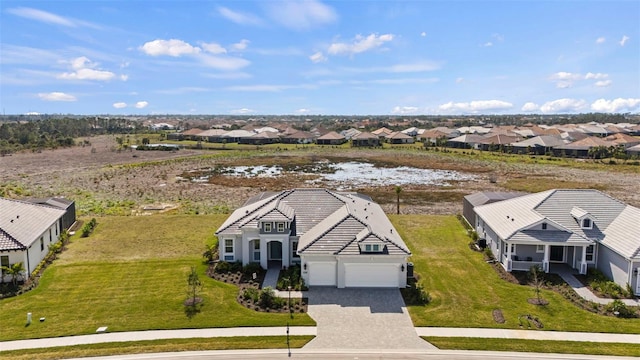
(465, 290)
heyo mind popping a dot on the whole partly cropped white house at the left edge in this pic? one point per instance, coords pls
(27, 229)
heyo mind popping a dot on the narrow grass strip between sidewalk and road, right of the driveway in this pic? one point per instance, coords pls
(538, 346)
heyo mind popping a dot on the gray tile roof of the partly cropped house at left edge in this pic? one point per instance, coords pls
(22, 223)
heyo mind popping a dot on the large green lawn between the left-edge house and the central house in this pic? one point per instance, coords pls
(130, 274)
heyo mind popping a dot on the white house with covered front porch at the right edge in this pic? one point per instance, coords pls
(575, 228)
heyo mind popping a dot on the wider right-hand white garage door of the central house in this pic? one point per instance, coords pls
(371, 275)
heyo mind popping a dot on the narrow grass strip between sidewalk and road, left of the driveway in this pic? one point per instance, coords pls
(172, 345)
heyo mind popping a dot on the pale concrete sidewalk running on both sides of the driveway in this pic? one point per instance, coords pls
(311, 330)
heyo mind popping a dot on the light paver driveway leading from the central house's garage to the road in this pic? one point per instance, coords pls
(362, 319)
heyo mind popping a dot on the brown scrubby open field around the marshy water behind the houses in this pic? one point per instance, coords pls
(103, 180)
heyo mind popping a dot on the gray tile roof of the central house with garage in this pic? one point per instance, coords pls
(327, 222)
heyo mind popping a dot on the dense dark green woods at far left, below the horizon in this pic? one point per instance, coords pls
(57, 132)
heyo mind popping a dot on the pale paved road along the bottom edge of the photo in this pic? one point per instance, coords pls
(356, 354)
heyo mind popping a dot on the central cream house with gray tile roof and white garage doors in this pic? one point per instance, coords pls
(339, 239)
